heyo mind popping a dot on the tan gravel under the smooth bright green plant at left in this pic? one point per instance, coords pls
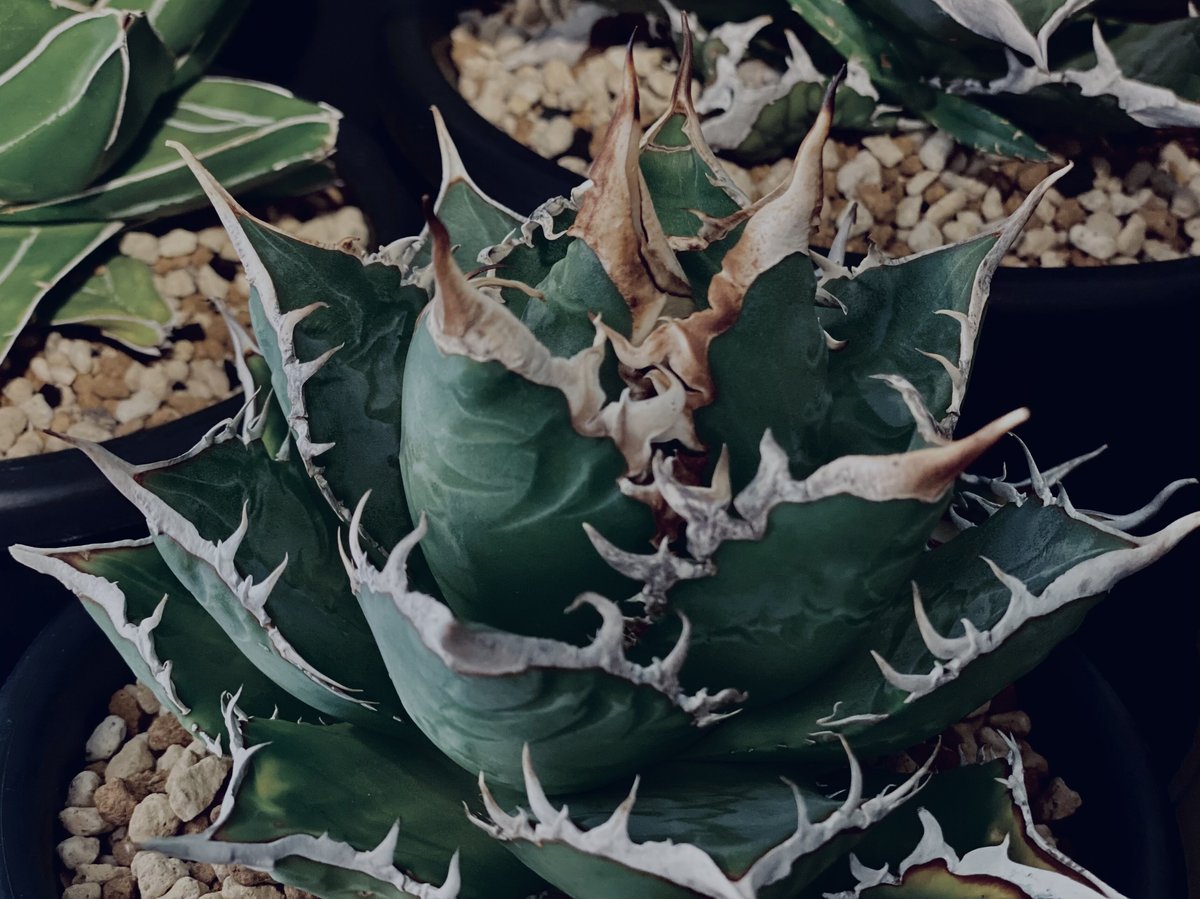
(74, 382)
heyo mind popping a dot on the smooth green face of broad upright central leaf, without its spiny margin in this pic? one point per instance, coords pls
(507, 484)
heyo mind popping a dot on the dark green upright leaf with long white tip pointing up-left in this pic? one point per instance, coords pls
(335, 331)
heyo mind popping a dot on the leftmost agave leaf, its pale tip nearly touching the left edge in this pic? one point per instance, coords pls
(164, 634)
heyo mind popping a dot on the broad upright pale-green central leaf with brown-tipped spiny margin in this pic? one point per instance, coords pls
(497, 454)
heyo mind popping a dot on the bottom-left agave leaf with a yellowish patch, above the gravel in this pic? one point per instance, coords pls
(286, 812)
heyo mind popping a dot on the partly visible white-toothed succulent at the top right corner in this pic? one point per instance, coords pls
(997, 76)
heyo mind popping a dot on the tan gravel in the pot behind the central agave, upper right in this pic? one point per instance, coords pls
(914, 191)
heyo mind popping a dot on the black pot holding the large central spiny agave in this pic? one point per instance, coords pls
(61, 688)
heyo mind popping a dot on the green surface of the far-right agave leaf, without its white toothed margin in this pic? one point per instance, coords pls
(1034, 543)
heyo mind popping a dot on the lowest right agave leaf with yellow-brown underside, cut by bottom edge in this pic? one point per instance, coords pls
(1010, 860)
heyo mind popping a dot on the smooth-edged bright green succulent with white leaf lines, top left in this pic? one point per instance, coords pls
(92, 93)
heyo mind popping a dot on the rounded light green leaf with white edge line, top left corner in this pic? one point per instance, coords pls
(77, 99)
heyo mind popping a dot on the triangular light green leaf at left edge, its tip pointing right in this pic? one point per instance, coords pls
(33, 261)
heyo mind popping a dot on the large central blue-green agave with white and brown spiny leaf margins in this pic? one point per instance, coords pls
(595, 549)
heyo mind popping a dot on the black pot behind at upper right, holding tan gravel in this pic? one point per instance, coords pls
(1102, 356)
